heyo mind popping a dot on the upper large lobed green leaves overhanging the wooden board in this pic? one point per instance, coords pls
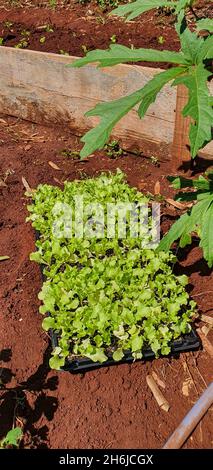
(191, 68)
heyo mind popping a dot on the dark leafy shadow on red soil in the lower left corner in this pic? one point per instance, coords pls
(27, 402)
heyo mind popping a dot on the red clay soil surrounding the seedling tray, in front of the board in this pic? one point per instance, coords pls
(110, 407)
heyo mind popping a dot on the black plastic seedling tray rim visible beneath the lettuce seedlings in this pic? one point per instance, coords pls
(189, 342)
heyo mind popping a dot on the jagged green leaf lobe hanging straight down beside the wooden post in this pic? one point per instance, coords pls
(198, 106)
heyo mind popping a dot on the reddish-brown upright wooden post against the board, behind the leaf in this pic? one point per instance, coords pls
(180, 146)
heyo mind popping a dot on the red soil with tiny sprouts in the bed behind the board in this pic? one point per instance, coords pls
(81, 27)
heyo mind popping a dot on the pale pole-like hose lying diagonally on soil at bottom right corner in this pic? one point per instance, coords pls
(183, 431)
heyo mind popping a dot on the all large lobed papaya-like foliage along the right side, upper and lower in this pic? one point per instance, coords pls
(191, 66)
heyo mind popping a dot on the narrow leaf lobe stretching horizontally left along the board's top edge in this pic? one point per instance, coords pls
(118, 54)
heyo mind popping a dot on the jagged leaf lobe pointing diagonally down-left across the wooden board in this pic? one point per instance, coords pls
(111, 112)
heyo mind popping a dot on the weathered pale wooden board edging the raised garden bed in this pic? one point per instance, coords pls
(39, 87)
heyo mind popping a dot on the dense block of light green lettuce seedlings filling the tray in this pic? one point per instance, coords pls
(105, 296)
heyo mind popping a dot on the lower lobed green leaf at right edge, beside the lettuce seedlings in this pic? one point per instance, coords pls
(198, 219)
